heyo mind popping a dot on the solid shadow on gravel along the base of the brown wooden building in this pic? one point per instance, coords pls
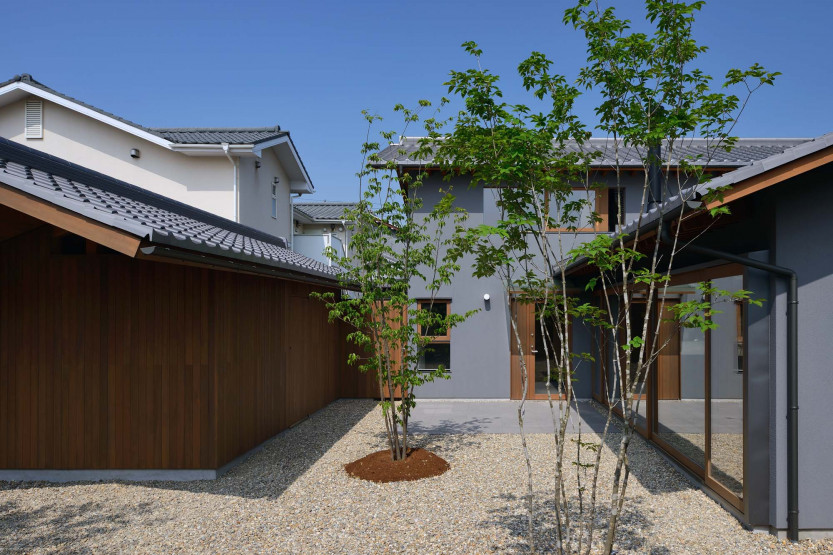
(279, 461)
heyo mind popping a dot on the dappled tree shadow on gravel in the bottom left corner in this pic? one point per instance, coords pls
(62, 527)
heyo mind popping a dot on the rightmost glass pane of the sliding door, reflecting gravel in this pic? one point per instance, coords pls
(726, 358)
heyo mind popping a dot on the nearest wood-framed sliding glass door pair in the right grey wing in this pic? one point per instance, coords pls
(700, 386)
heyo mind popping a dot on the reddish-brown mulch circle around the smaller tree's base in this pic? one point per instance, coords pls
(378, 467)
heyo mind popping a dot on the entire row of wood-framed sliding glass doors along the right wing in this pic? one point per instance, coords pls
(692, 405)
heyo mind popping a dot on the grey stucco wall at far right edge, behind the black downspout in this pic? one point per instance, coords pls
(803, 228)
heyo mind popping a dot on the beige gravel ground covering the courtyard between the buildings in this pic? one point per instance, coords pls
(293, 496)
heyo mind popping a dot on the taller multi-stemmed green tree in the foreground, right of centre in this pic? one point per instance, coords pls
(651, 92)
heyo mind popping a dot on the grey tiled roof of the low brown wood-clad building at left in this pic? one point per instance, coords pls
(156, 218)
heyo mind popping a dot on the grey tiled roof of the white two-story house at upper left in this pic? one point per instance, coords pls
(185, 135)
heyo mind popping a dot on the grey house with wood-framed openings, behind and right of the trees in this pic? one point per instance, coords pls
(724, 404)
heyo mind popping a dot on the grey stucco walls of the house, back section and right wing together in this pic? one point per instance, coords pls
(792, 221)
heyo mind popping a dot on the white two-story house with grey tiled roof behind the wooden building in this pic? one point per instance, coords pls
(245, 175)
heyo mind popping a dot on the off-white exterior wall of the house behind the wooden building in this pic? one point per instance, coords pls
(205, 182)
